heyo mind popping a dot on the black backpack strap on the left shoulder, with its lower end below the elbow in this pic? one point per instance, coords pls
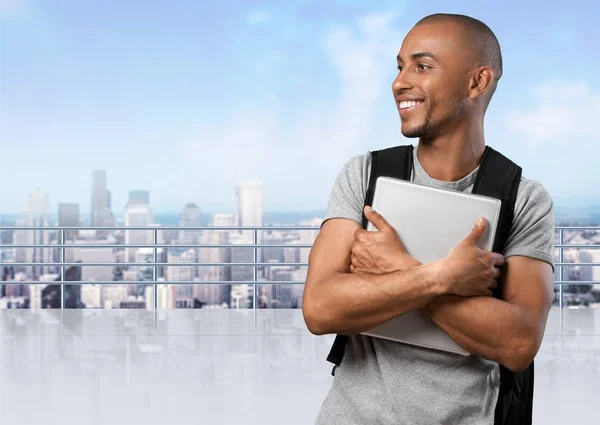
(396, 162)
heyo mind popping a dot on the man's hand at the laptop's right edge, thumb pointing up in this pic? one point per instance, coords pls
(470, 270)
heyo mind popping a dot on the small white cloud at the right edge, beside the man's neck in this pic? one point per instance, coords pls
(565, 113)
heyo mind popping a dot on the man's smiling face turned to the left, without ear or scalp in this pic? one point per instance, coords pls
(431, 89)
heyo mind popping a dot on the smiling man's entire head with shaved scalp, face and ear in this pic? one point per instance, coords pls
(448, 70)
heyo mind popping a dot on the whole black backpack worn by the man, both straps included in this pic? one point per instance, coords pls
(497, 177)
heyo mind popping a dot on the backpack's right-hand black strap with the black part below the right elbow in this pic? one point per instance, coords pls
(499, 177)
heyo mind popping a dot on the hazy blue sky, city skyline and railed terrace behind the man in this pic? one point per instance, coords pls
(215, 130)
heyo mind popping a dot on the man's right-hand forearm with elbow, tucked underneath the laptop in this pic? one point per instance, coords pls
(487, 327)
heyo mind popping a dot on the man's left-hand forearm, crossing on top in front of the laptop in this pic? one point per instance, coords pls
(351, 303)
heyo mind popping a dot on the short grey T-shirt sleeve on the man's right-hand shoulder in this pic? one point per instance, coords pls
(532, 231)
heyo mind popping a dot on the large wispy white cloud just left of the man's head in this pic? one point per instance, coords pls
(299, 162)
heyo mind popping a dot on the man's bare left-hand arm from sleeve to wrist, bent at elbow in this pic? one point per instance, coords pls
(337, 301)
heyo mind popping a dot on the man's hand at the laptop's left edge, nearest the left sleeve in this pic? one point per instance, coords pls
(379, 252)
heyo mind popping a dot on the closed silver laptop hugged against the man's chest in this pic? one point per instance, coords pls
(430, 222)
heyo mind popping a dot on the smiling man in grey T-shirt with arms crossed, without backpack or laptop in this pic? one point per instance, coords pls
(449, 67)
